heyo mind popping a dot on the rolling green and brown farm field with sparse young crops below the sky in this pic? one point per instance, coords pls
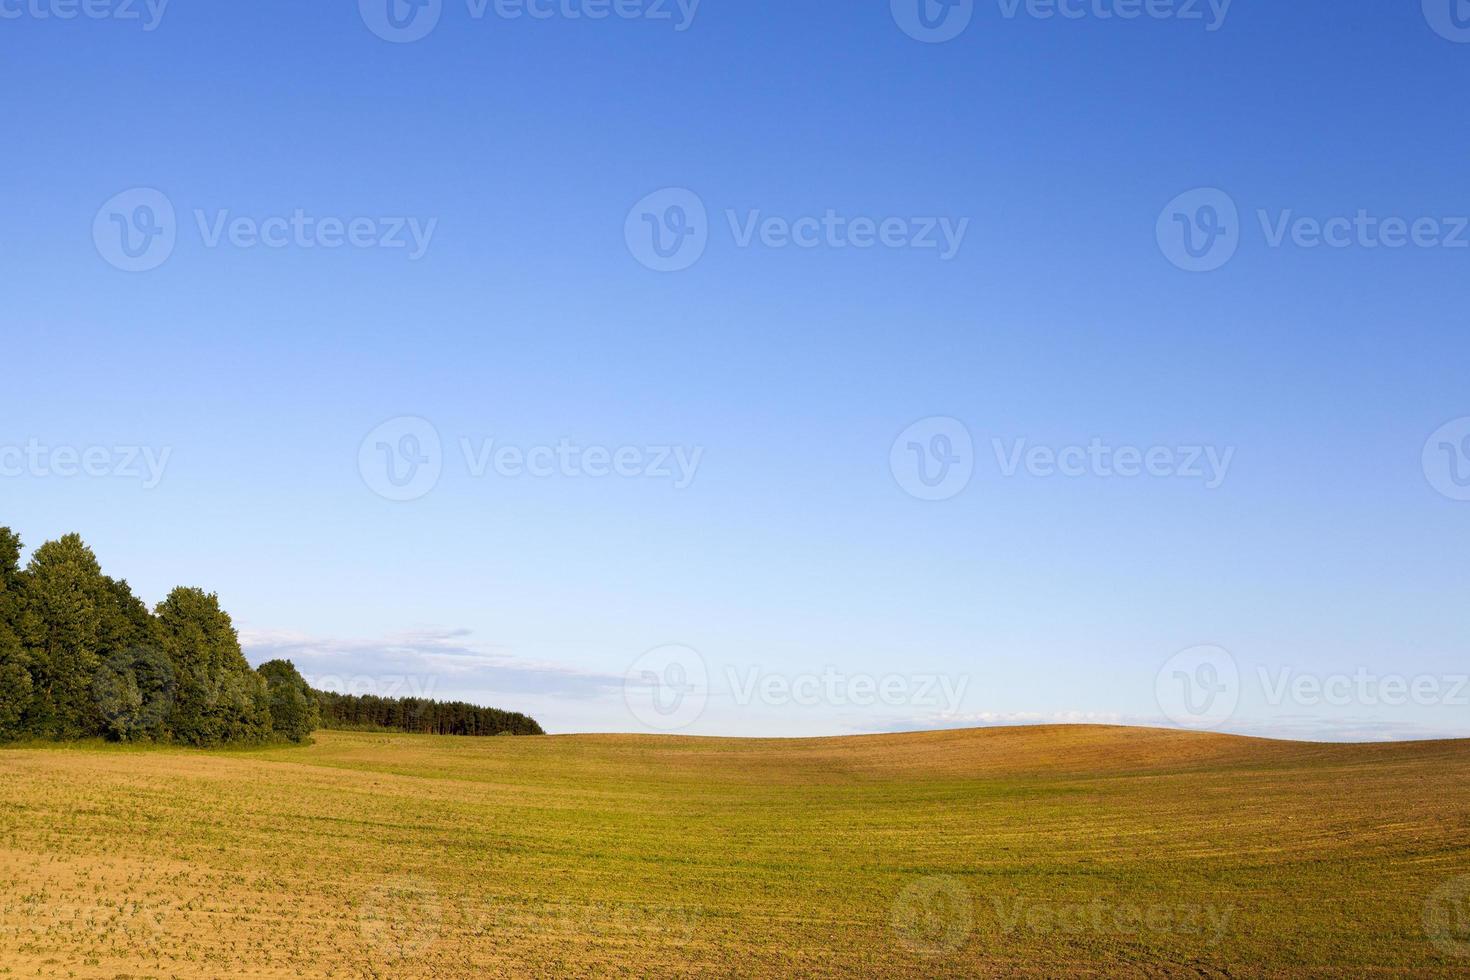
(1006, 851)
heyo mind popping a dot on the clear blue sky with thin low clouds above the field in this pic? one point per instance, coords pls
(530, 152)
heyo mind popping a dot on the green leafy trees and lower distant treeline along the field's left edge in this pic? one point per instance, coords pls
(83, 657)
